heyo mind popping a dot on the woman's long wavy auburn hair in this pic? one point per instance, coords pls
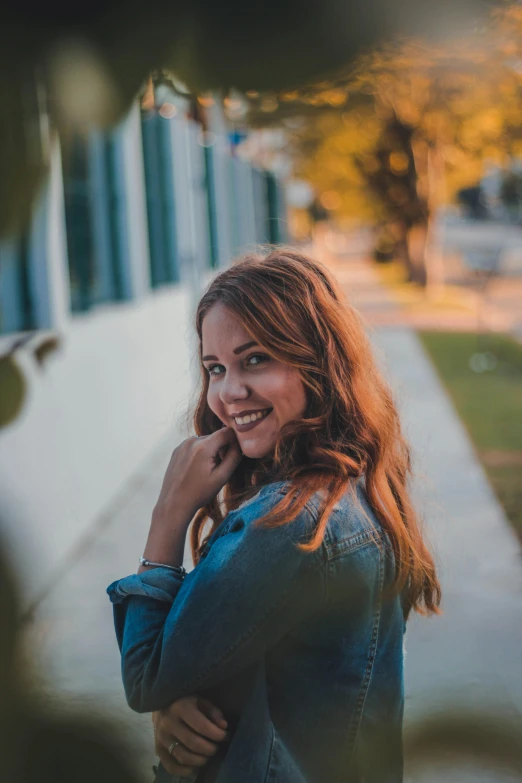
(297, 312)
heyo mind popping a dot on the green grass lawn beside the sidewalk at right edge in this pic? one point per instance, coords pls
(490, 405)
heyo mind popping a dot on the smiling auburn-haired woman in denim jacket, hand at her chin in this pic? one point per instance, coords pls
(289, 630)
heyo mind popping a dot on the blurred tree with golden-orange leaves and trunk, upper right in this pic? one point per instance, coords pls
(412, 123)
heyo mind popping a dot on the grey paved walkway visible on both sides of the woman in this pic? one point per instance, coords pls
(471, 655)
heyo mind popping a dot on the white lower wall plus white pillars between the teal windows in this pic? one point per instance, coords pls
(123, 376)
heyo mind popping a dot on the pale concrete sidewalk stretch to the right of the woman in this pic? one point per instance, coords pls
(473, 653)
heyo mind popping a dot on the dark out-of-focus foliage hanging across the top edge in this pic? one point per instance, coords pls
(62, 67)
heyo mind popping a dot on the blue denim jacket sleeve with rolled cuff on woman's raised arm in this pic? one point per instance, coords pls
(180, 636)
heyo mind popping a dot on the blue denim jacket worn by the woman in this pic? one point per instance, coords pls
(302, 651)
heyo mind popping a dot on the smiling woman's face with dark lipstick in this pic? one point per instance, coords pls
(248, 390)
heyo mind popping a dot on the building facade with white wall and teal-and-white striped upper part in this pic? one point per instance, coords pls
(127, 231)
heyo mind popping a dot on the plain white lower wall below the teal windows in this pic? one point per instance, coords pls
(94, 413)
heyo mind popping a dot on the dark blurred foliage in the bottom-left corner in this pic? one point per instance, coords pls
(40, 744)
